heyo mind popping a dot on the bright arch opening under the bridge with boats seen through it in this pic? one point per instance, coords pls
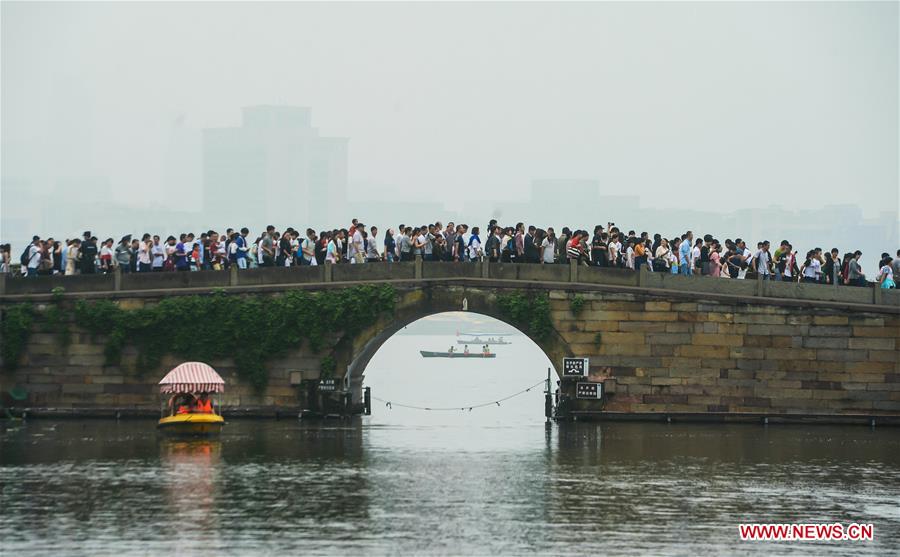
(445, 388)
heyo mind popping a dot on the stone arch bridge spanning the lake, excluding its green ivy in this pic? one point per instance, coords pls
(661, 345)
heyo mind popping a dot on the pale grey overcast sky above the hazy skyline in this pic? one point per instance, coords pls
(677, 102)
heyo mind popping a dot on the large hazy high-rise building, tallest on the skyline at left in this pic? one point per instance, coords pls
(275, 168)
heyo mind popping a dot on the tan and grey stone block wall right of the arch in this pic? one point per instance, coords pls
(741, 358)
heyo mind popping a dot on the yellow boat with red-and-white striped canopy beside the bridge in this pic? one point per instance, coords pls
(190, 410)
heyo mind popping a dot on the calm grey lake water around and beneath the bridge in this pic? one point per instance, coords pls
(491, 481)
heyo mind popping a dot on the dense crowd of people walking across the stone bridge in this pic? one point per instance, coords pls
(609, 246)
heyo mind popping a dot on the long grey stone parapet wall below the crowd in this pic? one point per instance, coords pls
(12, 288)
